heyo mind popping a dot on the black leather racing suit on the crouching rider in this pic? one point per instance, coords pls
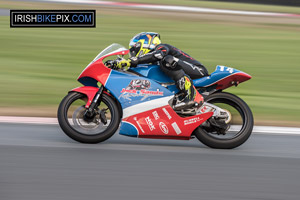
(174, 62)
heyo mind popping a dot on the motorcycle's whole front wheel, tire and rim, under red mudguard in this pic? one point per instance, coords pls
(72, 119)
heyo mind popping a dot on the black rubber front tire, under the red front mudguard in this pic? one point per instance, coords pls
(80, 136)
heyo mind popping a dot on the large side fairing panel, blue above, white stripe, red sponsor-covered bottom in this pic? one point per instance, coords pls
(146, 109)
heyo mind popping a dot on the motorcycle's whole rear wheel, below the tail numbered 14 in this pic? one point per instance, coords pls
(239, 123)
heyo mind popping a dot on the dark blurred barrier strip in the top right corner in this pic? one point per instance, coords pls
(270, 2)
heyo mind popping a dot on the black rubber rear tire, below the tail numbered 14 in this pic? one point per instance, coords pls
(244, 133)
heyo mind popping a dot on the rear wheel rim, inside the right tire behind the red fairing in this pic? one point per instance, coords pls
(237, 123)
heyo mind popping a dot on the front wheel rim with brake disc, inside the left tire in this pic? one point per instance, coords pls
(75, 117)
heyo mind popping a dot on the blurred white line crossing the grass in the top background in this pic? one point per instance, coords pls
(175, 8)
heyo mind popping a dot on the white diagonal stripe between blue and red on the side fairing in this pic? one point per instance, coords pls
(145, 106)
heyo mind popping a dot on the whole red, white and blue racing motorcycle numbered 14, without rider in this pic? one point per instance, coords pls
(139, 103)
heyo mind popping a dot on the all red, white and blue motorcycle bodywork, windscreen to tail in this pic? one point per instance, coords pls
(145, 101)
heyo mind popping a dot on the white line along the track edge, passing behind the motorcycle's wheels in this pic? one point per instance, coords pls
(47, 121)
